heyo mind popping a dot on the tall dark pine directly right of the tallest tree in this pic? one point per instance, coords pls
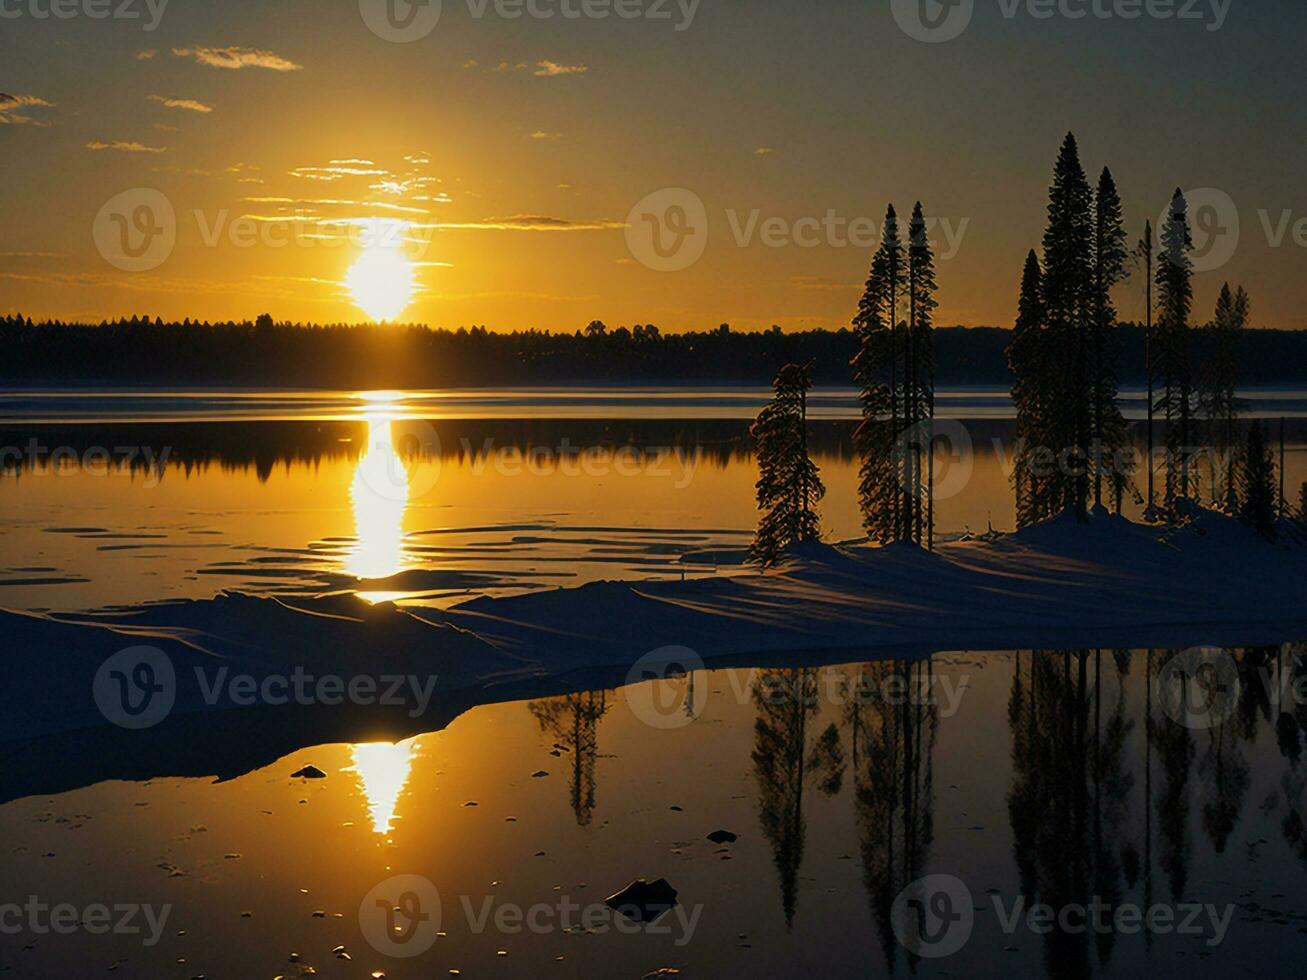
(1112, 434)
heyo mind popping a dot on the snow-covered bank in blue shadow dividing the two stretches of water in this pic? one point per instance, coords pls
(1109, 583)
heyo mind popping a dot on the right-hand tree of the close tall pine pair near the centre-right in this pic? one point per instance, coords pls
(921, 378)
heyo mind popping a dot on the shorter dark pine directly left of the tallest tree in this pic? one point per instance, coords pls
(1027, 355)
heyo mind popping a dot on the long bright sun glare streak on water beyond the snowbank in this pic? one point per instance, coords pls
(380, 496)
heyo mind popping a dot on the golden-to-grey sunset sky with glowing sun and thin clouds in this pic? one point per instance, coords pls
(689, 164)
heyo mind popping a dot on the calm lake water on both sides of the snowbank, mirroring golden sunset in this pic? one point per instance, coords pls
(993, 813)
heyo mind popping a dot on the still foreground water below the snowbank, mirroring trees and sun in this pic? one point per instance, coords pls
(1062, 779)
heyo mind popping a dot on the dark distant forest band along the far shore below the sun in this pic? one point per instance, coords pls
(265, 353)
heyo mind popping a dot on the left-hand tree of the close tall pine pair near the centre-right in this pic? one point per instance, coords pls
(878, 373)
